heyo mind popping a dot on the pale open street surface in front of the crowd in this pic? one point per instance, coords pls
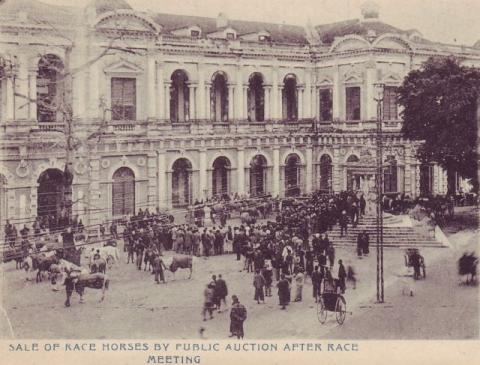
(136, 307)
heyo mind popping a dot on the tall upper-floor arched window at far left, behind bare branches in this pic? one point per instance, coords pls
(50, 89)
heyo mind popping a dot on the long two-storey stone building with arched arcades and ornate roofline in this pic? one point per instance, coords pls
(169, 109)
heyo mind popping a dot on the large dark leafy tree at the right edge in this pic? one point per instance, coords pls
(440, 102)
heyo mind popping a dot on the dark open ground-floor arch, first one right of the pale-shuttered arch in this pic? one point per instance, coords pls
(181, 183)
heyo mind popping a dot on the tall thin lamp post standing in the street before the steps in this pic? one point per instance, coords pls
(379, 94)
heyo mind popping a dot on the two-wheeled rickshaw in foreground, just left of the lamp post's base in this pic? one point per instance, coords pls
(331, 300)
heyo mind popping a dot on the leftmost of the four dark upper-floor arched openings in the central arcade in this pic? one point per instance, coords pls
(179, 94)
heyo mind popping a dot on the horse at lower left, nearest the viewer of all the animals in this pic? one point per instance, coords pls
(78, 282)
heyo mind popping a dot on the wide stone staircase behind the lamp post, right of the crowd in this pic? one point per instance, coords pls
(395, 234)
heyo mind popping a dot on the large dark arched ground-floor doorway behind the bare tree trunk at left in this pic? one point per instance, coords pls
(50, 193)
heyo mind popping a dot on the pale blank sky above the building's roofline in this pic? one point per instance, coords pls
(447, 21)
